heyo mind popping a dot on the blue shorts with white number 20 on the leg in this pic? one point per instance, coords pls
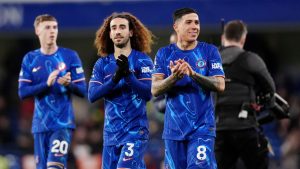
(51, 148)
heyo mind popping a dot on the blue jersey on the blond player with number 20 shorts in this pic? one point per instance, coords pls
(53, 108)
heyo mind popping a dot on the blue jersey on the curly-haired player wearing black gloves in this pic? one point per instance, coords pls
(125, 102)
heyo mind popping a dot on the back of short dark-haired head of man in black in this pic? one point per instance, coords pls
(234, 30)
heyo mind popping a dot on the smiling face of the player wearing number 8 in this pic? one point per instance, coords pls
(188, 27)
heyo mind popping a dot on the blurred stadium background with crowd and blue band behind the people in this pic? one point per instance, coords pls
(274, 33)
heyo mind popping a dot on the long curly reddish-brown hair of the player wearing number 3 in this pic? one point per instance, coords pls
(141, 40)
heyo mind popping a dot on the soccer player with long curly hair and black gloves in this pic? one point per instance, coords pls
(122, 76)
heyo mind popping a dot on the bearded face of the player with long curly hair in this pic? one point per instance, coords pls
(119, 32)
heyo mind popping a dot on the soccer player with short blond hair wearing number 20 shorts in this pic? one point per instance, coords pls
(50, 75)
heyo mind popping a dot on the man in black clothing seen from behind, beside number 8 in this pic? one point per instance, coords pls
(238, 134)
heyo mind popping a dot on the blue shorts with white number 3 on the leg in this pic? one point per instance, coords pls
(129, 155)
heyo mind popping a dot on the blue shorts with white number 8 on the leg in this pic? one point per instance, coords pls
(190, 154)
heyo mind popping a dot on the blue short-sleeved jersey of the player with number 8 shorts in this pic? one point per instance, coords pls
(189, 110)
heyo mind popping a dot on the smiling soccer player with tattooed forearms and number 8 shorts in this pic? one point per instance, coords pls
(187, 72)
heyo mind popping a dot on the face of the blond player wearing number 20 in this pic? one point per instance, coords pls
(47, 32)
